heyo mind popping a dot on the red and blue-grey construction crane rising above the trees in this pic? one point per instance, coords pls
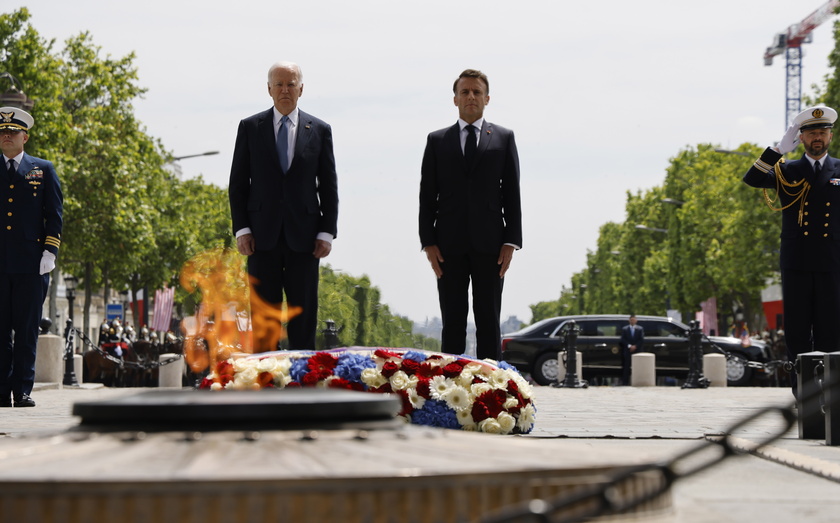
(790, 42)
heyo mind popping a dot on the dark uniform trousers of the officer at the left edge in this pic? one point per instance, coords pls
(21, 302)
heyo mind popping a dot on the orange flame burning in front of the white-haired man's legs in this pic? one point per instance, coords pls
(222, 327)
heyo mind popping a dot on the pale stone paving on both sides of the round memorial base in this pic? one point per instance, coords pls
(790, 480)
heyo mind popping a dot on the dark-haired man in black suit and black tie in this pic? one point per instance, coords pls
(470, 216)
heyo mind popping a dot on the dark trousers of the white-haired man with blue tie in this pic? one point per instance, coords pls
(280, 271)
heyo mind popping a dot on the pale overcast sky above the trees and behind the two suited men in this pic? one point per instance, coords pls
(600, 95)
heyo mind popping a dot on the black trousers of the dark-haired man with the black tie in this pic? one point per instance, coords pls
(483, 271)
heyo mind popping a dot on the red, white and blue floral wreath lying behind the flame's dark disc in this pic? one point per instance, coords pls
(436, 389)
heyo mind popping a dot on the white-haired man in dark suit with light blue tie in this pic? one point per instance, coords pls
(284, 202)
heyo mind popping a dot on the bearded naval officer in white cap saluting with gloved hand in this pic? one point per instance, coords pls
(808, 194)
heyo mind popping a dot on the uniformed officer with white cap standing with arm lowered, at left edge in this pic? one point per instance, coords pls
(30, 235)
